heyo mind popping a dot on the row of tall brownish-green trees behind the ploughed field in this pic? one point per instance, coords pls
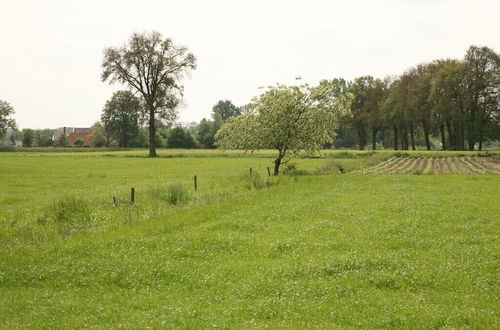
(454, 101)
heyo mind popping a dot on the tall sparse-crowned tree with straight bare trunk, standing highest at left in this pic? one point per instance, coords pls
(153, 67)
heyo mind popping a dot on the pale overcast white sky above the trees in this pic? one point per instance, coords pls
(51, 51)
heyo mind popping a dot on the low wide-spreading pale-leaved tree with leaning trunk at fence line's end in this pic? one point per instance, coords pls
(289, 119)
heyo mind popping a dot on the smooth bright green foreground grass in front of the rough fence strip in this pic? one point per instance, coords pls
(353, 251)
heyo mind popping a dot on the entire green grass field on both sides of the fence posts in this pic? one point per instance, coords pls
(319, 250)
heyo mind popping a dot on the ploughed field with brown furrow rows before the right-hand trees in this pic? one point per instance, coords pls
(441, 165)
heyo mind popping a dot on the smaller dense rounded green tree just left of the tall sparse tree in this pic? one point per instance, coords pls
(121, 117)
